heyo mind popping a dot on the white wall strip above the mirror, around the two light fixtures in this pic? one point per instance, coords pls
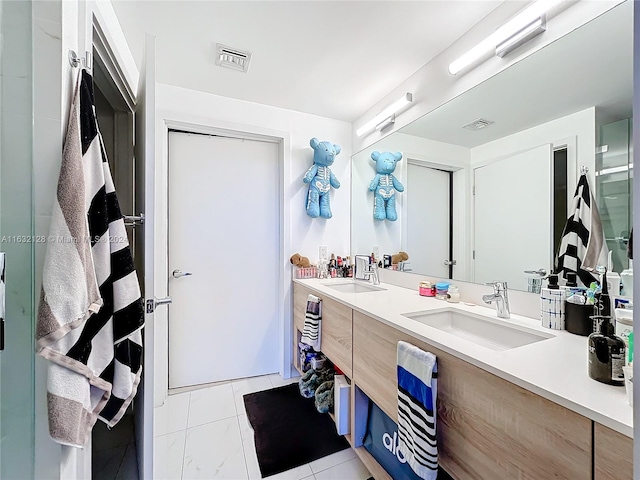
(433, 86)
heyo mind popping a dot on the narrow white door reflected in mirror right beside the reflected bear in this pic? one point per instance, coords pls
(428, 220)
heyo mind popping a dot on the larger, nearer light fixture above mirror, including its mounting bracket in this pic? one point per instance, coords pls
(521, 28)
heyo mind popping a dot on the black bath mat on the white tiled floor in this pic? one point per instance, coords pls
(289, 431)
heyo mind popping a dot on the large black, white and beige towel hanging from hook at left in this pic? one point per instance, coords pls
(91, 312)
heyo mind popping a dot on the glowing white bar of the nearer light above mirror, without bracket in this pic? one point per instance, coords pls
(512, 28)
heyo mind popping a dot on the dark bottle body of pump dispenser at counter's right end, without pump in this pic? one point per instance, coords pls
(606, 353)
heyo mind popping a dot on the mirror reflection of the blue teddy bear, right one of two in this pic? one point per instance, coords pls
(385, 185)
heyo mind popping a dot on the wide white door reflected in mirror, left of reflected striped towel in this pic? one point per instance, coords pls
(512, 225)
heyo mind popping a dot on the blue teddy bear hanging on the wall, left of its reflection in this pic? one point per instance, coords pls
(321, 179)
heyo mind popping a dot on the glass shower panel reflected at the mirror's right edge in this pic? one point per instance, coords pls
(614, 188)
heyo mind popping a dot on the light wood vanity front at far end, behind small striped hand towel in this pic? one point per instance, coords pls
(335, 341)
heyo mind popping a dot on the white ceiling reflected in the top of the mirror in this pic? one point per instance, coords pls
(592, 66)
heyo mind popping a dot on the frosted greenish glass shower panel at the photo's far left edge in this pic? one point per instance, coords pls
(16, 240)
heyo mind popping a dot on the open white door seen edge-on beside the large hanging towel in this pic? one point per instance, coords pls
(145, 198)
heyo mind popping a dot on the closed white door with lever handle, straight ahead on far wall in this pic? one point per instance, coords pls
(224, 230)
